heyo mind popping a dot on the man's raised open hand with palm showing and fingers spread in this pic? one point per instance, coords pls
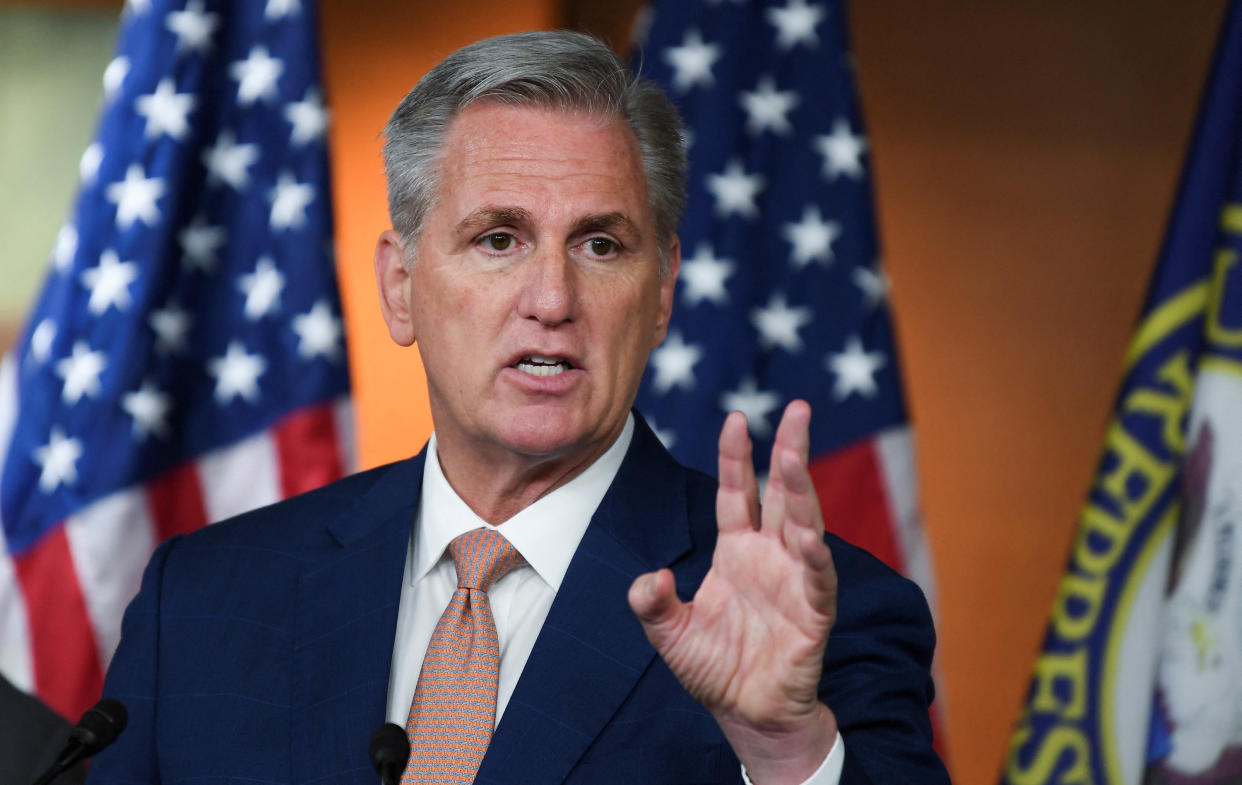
(751, 645)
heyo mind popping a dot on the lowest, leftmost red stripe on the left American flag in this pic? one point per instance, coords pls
(66, 658)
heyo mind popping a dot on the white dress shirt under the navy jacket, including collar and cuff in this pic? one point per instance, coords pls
(546, 533)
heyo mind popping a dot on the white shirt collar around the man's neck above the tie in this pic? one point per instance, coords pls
(546, 533)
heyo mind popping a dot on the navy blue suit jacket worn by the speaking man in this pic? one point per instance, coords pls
(259, 649)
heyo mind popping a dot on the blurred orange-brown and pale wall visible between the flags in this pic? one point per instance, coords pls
(1025, 156)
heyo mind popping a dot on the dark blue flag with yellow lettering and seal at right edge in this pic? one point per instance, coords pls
(1141, 679)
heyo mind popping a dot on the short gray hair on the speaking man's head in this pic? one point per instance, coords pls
(561, 70)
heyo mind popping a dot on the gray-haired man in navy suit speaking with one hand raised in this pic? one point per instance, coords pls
(645, 625)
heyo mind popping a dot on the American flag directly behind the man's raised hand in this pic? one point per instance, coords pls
(782, 294)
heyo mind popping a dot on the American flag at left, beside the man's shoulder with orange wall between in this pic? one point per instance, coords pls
(186, 360)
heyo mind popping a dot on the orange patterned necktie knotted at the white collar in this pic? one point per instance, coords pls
(454, 706)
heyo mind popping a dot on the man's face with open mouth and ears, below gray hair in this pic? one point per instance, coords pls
(536, 294)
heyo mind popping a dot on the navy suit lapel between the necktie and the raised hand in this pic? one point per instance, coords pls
(592, 649)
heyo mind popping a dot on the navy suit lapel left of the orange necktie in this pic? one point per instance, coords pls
(345, 625)
